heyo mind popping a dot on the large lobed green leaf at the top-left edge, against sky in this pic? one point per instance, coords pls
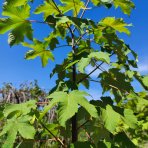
(16, 23)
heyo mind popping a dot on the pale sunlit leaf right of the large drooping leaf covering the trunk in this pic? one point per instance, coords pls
(111, 118)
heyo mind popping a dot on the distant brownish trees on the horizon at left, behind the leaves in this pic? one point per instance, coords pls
(25, 92)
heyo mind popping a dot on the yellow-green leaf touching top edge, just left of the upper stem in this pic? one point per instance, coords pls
(48, 8)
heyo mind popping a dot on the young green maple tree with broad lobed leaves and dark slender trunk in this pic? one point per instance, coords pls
(113, 121)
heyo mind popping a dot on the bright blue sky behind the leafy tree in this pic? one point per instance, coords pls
(14, 68)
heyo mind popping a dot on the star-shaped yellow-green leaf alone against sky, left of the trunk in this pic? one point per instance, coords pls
(39, 49)
